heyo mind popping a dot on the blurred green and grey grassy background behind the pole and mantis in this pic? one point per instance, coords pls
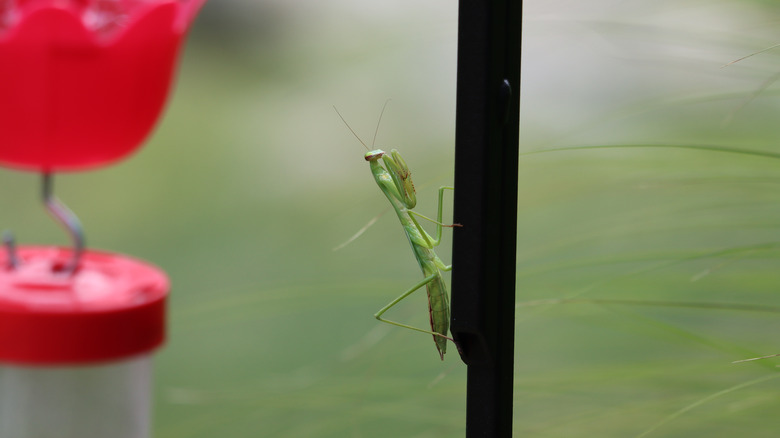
(251, 180)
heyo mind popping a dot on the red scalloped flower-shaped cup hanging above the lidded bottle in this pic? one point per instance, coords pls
(82, 82)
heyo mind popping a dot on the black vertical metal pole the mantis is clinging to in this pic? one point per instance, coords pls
(484, 249)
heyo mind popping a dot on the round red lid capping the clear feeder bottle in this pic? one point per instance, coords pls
(112, 307)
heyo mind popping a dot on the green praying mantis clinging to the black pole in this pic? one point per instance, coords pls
(393, 177)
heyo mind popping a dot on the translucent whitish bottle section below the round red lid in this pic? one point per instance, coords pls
(105, 401)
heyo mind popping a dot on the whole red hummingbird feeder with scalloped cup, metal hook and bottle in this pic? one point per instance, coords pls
(82, 84)
